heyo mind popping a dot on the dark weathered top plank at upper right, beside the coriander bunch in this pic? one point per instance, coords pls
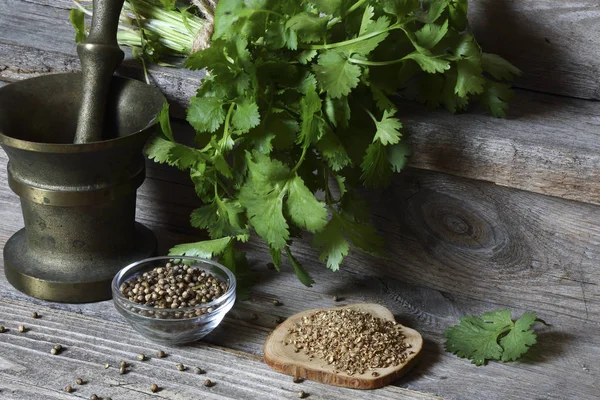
(554, 42)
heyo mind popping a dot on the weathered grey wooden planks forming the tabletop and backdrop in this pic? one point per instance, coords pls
(457, 244)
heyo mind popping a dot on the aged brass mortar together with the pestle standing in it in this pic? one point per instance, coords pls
(74, 143)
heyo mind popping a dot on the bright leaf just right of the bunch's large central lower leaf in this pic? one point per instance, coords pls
(304, 209)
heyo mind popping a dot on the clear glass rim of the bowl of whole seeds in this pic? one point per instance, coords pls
(230, 293)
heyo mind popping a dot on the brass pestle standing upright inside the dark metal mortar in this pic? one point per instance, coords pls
(100, 56)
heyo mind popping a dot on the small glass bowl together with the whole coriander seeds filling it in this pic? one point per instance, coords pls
(174, 301)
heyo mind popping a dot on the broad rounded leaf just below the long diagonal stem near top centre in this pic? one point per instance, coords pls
(336, 74)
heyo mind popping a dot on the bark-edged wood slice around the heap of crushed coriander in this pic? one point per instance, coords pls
(283, 359)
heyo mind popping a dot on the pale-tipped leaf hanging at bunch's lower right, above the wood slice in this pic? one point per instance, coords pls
(332, 244)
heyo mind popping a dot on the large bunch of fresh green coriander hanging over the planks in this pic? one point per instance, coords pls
(296, 113)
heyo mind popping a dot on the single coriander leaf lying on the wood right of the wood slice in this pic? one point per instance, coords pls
(493, 336)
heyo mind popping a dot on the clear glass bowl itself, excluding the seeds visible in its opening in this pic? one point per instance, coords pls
(174, 325)
